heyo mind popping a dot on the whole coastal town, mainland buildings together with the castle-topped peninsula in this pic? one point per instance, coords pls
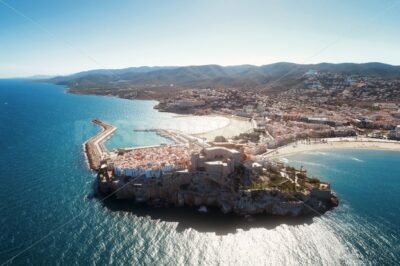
(237, 174)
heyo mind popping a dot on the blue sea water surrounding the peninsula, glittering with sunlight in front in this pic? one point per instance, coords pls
(48, 217)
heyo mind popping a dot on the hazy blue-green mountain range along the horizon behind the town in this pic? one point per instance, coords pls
(270, 76)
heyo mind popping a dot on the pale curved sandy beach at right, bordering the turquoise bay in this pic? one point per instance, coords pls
(334, 143)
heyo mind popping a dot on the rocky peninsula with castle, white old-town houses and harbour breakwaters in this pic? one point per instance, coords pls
(201, 175)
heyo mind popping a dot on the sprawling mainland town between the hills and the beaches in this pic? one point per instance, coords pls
(321, 105)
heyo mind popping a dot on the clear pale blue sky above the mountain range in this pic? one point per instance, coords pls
(47, 37)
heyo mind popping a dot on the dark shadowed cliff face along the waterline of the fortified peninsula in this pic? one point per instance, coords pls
(196, 191)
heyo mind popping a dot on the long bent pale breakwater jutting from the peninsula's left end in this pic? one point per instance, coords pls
(94, 147)
